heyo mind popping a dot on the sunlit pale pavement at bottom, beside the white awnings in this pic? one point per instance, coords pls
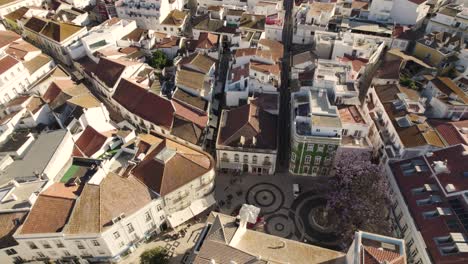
(179, 249)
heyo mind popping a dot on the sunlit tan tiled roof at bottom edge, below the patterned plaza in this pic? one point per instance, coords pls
(256, 247)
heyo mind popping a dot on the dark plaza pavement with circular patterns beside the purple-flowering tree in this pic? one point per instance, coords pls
(282, 215)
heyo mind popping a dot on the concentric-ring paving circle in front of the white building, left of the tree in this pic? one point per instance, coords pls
(266, 196)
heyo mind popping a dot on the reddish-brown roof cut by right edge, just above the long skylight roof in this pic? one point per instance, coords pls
(451, 131)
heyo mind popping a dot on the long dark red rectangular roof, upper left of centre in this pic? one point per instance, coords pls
(144, 103)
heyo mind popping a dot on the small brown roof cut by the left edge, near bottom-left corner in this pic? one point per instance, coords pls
(8, 227)
